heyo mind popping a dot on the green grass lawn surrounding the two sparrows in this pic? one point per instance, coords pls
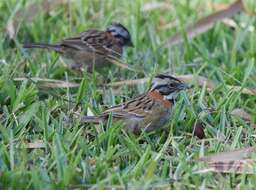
(99, 157)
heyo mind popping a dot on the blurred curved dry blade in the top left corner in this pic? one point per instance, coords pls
(28, 13)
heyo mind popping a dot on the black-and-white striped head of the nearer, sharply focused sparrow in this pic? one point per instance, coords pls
(168, 86)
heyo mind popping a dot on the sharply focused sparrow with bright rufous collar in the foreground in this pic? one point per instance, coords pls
(148, 111)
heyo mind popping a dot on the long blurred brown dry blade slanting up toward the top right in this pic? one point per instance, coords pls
(206, 23)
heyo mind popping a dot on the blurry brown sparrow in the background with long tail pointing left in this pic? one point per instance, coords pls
(92, 47)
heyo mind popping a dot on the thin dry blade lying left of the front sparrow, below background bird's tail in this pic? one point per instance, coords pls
(50, 83)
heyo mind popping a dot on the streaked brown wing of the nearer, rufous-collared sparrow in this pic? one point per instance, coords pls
(137, 107)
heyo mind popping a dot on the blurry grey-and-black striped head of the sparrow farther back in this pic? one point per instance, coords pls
(119, 31)
